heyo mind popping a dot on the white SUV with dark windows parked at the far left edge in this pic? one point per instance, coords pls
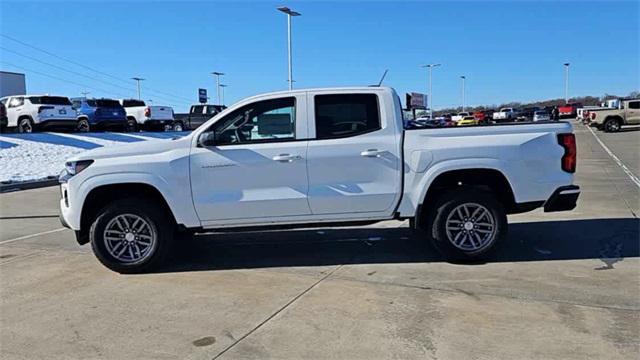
(33, 112)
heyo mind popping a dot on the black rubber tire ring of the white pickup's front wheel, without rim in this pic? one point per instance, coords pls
(150, 213)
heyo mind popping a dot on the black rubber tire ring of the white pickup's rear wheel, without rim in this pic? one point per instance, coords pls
(447, 203)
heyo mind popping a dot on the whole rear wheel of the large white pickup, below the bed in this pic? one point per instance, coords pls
(446, 208)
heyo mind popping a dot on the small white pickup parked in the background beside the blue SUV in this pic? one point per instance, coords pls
(141, 116)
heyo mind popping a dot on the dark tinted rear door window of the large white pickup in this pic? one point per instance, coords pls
(346, 115)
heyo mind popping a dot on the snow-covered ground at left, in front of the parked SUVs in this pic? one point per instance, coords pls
(38, 156)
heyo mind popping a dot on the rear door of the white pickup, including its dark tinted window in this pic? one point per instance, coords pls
(354, 154)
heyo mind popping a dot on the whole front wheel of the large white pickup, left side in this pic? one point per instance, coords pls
(160, 227)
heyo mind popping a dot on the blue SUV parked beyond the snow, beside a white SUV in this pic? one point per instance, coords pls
(96, 114)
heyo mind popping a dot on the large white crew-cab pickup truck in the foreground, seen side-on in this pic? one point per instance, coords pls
(313, 158)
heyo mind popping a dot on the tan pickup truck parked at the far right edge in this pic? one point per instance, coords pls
(612, 120)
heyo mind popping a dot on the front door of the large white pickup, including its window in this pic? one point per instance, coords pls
(257, 168)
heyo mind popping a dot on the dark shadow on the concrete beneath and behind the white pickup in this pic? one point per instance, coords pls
(610, 240)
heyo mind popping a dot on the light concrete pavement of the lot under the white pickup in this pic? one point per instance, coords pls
(564, 286)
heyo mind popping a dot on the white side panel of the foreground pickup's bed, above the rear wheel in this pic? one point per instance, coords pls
(528, 152)
